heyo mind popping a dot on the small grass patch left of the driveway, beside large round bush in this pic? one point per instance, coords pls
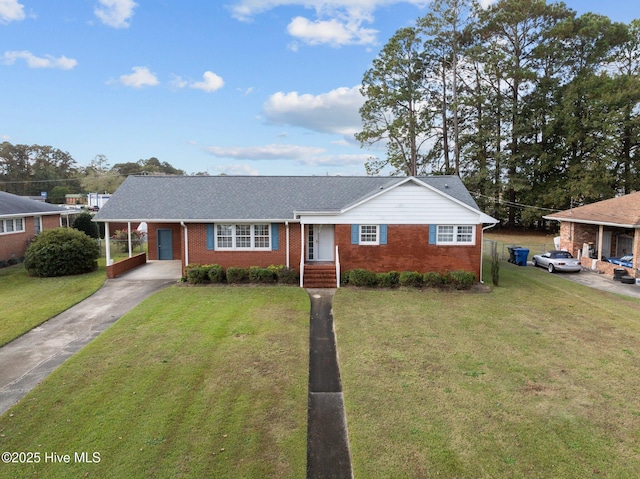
(27, 302)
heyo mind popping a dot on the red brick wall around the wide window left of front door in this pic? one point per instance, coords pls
(198, 252)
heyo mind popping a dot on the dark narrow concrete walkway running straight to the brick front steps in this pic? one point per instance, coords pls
(328, 454)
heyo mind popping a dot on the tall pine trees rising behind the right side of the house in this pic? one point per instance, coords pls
(529, 103)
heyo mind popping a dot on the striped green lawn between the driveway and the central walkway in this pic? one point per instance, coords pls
(194, 382)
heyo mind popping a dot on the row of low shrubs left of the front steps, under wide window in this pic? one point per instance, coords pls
(214, 273)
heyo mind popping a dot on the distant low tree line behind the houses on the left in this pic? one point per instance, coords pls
(30, 170)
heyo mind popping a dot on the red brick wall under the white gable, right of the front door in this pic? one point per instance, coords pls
(407, 249)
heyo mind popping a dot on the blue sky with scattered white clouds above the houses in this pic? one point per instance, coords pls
(265, 87)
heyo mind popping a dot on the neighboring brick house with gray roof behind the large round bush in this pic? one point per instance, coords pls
(21, 219)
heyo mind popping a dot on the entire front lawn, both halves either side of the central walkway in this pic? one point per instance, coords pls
(537, 378)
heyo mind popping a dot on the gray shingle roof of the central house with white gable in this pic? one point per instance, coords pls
(188, 198)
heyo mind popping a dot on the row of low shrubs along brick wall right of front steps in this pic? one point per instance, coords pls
(394, 279)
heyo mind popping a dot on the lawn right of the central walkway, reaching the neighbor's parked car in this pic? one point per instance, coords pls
(538, 378)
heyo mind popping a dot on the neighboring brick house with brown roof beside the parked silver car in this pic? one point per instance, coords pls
(609, 228)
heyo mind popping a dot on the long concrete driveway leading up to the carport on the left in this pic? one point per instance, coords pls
(30, 358)
